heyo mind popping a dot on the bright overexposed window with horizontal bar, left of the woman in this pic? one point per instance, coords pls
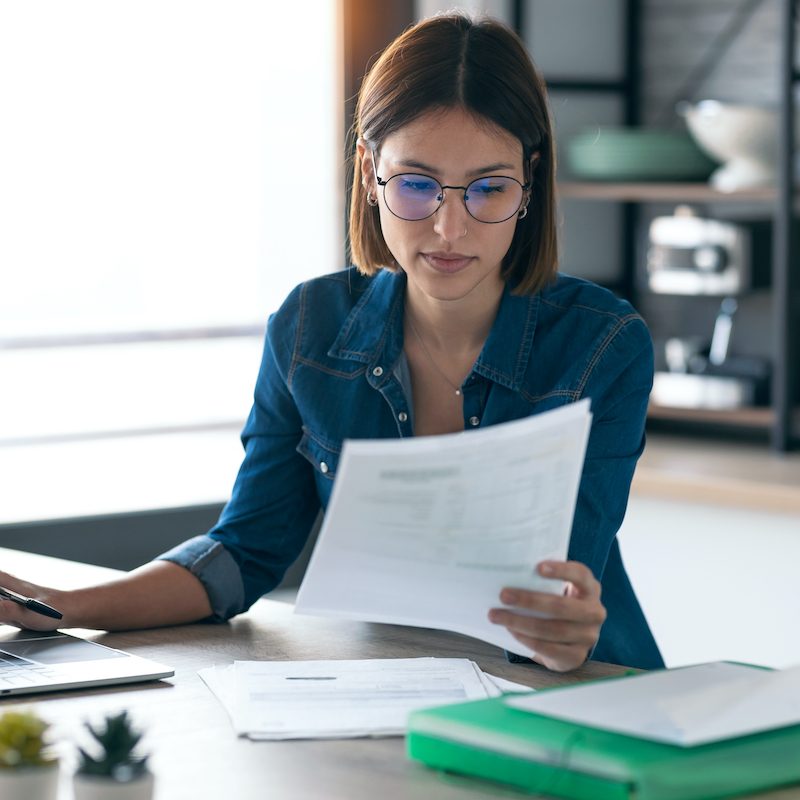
(169, 170)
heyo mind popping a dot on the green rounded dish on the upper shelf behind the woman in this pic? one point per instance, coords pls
(637, 154)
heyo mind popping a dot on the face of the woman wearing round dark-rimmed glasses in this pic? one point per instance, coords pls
(450, 255)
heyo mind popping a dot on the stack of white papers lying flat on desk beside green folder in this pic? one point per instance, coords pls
(342, 699)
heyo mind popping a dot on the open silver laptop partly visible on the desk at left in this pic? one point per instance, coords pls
(35, 661)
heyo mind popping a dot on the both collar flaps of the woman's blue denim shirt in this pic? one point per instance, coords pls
(373, 331)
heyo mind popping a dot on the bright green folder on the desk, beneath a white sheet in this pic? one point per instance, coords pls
(493, 741)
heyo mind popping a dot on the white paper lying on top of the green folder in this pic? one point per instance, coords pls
(686, 706)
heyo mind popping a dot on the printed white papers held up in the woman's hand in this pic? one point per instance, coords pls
(427, 531)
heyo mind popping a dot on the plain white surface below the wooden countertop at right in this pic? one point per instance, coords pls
(716, 583)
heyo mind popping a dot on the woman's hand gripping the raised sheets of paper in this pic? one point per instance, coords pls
(570, 626)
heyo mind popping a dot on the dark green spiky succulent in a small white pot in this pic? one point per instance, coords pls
(116, 772)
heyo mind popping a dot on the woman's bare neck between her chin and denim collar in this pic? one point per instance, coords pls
(454, 326)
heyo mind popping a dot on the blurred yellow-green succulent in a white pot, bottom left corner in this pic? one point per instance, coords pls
(28, 771)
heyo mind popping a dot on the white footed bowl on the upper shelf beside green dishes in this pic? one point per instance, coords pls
(744, 138)
